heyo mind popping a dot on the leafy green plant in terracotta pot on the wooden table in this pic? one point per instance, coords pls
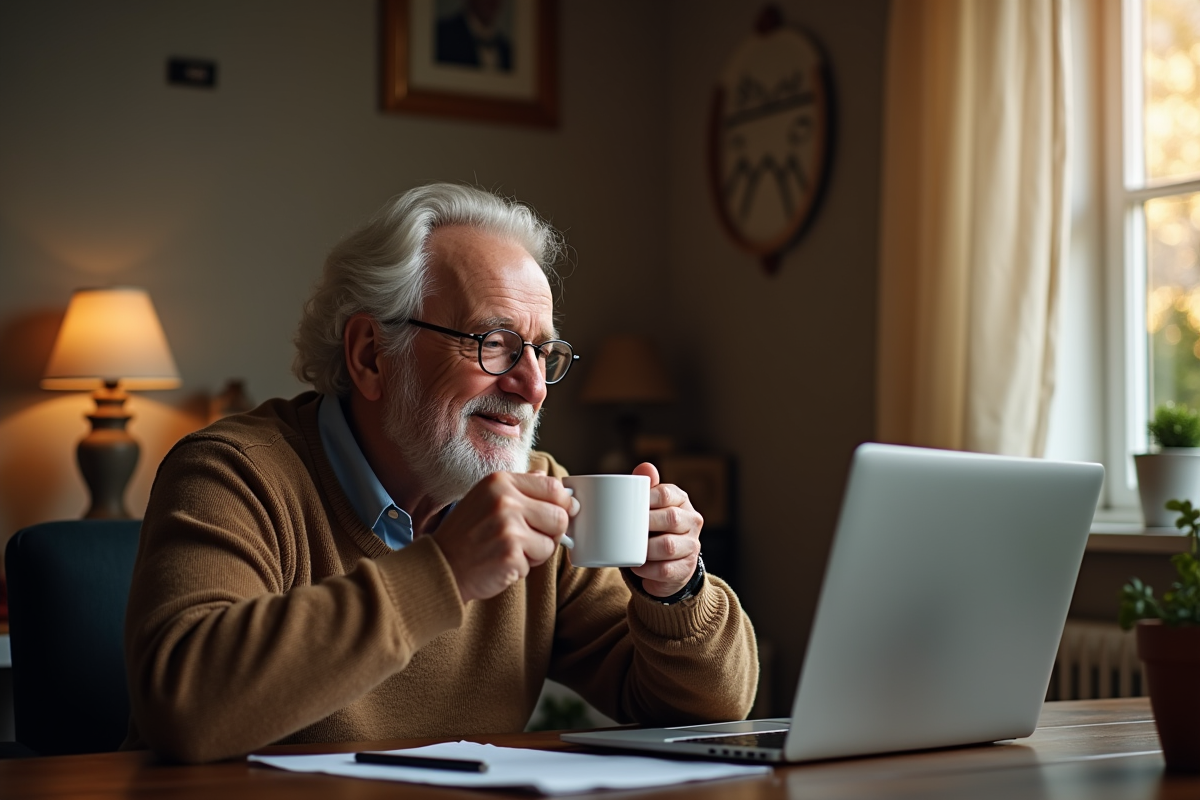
(1169, 647)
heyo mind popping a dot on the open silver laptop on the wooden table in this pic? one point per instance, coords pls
(940, 615)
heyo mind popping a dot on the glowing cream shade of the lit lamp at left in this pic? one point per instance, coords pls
(111, 336)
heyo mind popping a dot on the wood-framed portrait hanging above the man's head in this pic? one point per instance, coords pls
(491, 61)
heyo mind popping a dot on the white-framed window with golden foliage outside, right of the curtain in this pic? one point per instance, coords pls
(1151, 127)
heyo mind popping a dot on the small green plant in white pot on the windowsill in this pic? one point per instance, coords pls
(1173, 472)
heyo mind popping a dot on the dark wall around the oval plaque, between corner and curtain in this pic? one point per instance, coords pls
(782, 369)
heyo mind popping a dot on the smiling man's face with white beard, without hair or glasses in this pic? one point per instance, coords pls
(452, 422)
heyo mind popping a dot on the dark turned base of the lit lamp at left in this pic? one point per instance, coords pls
(107, 456)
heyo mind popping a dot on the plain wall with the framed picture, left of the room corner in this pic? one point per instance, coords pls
(225, 203)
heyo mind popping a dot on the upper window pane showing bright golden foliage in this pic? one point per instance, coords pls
(1172, 63)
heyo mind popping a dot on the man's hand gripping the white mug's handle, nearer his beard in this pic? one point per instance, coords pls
(507, 525)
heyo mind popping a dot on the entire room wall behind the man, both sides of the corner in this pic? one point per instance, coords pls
(224, 204)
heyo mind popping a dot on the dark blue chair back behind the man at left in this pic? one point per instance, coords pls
(69, 584)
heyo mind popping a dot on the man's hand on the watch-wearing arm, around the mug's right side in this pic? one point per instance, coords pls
(675, 538)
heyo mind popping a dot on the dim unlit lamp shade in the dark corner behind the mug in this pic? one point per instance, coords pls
(627, 371)
